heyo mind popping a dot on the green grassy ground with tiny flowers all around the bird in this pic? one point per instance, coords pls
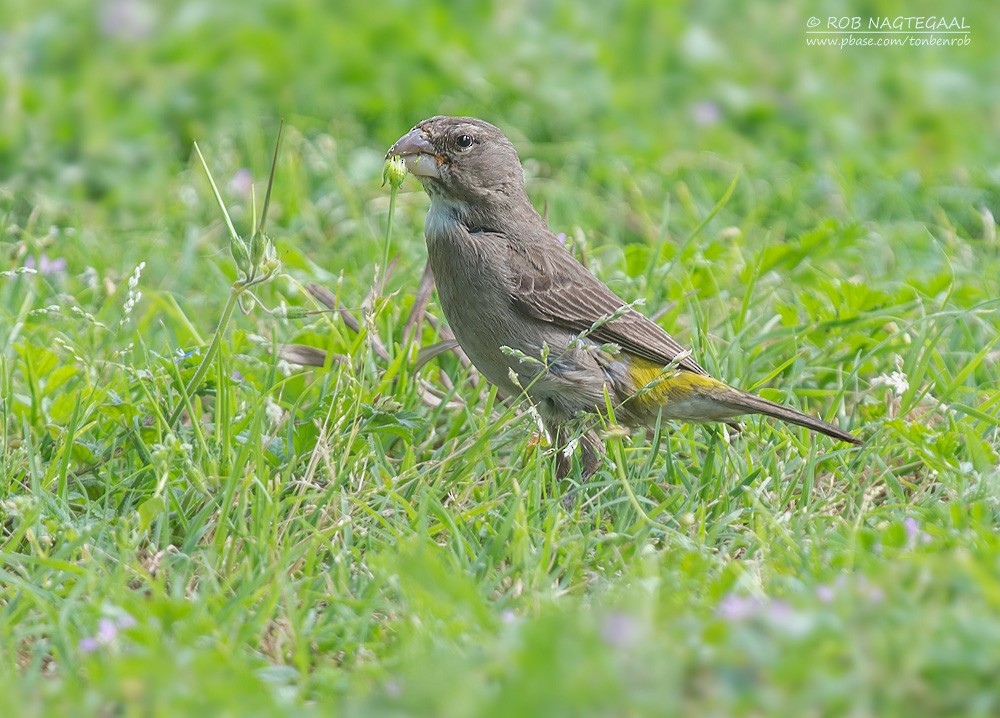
(384, 537)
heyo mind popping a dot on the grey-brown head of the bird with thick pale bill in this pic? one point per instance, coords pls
(462, 159)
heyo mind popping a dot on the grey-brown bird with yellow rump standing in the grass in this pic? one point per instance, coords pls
(536, 322)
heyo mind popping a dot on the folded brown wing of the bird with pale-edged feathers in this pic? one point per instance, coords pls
(549, 284)
